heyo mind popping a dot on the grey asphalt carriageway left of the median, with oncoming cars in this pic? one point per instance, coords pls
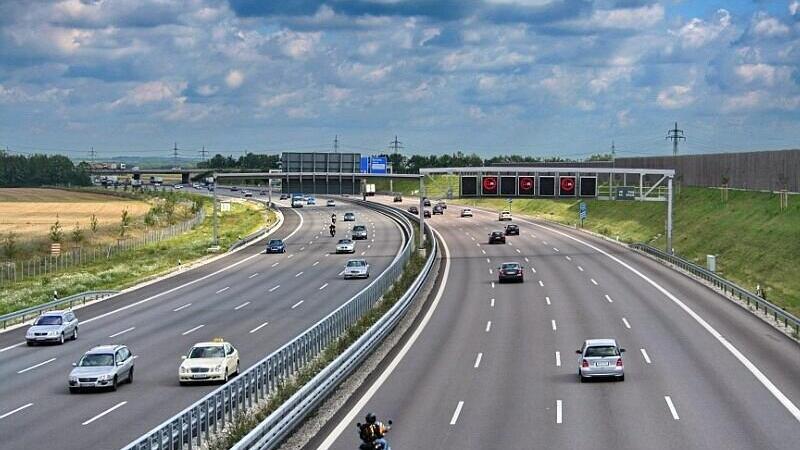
(256, 301)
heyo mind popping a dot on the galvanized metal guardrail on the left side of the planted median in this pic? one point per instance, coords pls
(195, 424)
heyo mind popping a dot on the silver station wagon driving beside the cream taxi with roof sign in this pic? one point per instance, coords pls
(105, 366)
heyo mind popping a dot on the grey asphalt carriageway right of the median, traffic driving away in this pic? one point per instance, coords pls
(494, 366)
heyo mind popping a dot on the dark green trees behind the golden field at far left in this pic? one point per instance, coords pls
(41, 170)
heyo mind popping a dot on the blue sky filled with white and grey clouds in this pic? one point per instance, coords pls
(542, 77)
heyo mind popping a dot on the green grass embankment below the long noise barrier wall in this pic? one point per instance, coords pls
(754, 241)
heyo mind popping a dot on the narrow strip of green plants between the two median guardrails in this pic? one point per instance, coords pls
(245, 422)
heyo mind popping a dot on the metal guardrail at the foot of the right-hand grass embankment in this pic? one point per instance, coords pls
(778, 314)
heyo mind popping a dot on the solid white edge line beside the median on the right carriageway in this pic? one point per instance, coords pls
(356, 409)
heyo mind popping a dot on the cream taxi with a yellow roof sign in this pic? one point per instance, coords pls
(209, 361)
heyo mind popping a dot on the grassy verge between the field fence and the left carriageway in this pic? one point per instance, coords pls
(129, 268)
